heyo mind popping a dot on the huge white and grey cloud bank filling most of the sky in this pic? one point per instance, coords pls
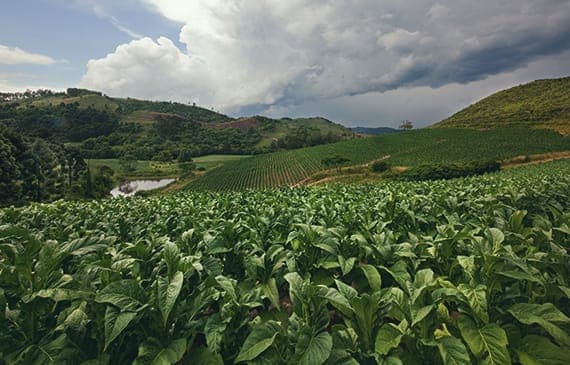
(241, 54)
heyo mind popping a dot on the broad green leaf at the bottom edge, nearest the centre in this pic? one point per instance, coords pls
(311, 349)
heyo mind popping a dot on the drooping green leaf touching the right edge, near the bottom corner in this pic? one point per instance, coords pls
(544, 315)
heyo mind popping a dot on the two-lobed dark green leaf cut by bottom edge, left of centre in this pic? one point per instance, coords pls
(152, 352)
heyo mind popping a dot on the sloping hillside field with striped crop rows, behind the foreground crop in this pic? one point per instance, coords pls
(427, 146)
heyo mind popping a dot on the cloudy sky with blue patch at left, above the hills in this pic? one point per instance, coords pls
(357, 62)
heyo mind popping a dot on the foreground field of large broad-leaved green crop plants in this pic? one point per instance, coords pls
(473, 270)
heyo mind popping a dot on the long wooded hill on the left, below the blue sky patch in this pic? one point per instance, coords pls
(105, 127)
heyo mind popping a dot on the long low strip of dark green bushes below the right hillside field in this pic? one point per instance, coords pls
(450, 171)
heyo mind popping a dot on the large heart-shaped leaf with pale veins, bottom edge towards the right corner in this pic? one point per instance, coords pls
(489, 342)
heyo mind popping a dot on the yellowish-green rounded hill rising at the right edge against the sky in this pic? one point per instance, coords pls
(539, 104)
